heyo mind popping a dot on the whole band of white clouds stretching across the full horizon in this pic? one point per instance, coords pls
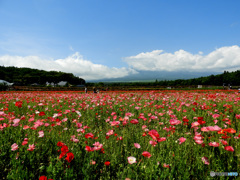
(224, 58)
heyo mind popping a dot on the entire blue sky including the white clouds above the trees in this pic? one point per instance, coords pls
(100, 39)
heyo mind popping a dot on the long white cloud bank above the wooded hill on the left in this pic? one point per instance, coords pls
(73, 64)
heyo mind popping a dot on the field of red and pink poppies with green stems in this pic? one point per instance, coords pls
(119, 135)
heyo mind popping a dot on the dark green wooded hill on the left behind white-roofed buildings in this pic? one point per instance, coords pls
(28, 76)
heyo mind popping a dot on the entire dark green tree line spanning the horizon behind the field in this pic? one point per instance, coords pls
(28, 76)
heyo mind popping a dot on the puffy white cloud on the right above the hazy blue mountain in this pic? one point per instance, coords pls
(225, 58)
